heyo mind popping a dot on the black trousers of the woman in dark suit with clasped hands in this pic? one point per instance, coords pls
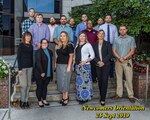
(102, 74)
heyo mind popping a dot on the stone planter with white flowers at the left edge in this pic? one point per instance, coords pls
(4, 72)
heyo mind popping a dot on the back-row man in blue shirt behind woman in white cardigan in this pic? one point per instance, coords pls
(81, 26)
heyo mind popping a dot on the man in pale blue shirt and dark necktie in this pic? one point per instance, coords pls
(111, 33)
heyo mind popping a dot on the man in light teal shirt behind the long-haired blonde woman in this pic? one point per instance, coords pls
(62, 27)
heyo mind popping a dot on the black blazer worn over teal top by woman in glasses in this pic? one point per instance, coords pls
(41, 63)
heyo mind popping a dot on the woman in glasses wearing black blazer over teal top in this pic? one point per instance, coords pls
(44, 72)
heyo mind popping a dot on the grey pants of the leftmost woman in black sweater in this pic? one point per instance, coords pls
(25, 83)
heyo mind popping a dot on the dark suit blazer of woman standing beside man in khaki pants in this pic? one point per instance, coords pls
(106, 52)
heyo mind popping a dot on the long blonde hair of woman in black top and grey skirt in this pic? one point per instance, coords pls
(60, 44)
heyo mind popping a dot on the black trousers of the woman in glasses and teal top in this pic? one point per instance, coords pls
(41, 90)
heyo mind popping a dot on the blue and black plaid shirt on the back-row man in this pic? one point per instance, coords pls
(26, 24)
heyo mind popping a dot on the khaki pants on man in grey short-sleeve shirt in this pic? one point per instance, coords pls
(120, 68)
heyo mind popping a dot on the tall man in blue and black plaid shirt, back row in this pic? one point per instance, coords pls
(28, 22)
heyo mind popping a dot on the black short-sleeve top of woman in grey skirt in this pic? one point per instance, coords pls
(63, 54)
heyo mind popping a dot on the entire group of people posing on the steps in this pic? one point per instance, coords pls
(88, 50)
